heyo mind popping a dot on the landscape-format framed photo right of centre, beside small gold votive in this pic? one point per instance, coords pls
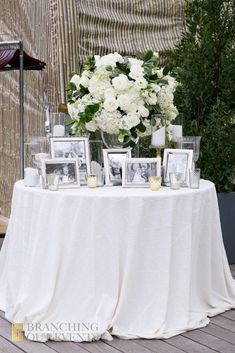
(136, 171)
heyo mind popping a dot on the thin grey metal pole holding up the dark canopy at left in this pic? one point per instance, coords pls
(21, 82)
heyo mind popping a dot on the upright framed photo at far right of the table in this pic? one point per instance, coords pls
(177, 160)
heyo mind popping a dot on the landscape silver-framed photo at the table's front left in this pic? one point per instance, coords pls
(66, 169)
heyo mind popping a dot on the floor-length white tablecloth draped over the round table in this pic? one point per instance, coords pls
(135, 262)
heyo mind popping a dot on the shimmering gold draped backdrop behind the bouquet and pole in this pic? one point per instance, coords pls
(62, 33)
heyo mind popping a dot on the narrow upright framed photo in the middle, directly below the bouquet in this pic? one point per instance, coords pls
(113, 161)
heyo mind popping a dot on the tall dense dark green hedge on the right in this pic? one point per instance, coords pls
(204, 63)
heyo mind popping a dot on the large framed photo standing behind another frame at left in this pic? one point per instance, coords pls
(73, 147)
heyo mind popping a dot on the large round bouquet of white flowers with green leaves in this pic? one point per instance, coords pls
(122, 96)
